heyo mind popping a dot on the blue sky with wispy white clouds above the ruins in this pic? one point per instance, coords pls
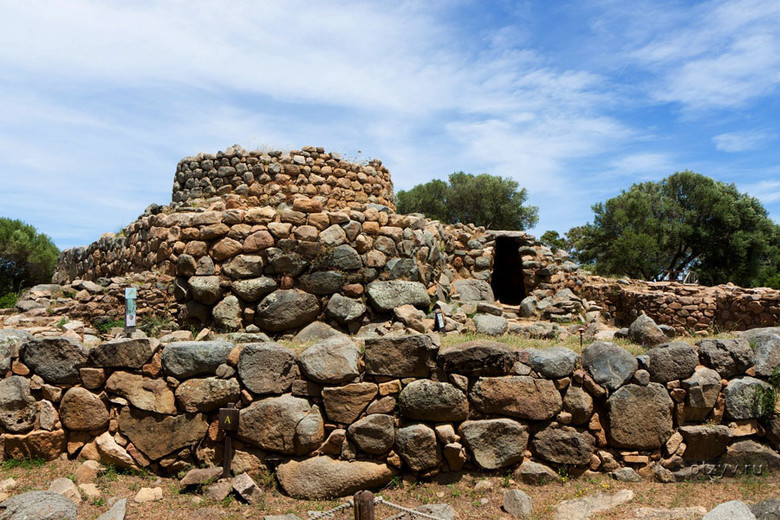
(576, 100)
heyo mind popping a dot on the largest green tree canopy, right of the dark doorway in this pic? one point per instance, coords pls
(685, 221)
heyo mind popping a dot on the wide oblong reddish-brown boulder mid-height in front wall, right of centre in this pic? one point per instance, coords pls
(517, 396)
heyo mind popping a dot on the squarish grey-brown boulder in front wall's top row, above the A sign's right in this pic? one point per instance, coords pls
(267, 368)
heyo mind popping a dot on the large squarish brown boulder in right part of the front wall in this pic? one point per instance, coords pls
(640, 417)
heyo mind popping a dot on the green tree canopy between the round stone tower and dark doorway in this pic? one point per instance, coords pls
(485, 200)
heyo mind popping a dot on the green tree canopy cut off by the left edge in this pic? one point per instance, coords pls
(26, 256)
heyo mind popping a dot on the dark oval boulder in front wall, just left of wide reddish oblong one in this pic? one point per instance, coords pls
(427, 400)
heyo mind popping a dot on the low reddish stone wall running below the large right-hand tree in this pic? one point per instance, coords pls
(687, 308)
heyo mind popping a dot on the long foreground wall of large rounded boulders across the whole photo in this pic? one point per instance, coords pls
(335, 418)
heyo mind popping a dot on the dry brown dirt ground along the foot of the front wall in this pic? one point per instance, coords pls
(456, 489)
